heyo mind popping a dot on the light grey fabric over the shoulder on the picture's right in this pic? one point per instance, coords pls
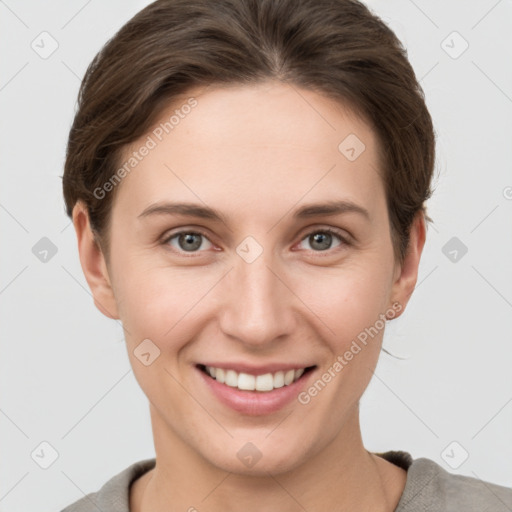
(430, 487)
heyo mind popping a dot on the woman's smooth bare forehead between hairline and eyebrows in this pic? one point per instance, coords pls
(266, 144)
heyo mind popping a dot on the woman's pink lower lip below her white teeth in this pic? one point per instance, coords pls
(255, 403)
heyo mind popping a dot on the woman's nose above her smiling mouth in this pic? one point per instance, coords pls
(257, 307)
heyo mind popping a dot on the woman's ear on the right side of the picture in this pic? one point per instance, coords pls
(406, 274)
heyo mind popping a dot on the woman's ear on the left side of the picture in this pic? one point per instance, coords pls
(93, 263)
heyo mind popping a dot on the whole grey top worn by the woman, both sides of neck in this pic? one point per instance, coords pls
(429, 488)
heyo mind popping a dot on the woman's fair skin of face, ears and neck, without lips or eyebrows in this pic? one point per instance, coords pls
(256, 154)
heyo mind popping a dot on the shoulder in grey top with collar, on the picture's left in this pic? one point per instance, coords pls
(114, 495)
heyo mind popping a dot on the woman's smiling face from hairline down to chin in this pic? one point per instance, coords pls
(279, 258)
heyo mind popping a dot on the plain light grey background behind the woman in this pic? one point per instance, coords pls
(64, 371)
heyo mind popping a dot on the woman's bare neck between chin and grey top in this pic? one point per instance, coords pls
(342, 476)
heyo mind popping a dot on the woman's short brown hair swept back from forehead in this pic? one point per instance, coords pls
(335, 47)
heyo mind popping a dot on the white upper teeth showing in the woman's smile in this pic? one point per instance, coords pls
(245, 381)
